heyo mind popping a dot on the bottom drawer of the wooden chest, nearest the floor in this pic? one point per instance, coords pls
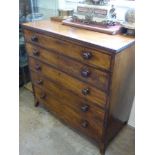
(68, 115)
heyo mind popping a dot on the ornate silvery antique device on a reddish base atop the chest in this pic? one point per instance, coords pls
(96, 18)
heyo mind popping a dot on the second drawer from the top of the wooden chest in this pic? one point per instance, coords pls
(74, 68)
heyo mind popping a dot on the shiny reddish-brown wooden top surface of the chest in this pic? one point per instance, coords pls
(112, 43)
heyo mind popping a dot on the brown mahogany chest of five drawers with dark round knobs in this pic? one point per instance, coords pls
(84, 78)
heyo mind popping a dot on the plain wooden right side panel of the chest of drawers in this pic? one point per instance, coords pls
(122, 91)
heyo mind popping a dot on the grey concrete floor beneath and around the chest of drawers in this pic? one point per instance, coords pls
(43, 134)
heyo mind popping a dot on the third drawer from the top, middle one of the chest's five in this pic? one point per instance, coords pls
(78, 87)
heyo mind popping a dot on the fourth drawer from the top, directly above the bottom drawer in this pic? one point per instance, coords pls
(84, 108)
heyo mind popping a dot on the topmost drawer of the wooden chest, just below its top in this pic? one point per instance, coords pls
(78, 52)
